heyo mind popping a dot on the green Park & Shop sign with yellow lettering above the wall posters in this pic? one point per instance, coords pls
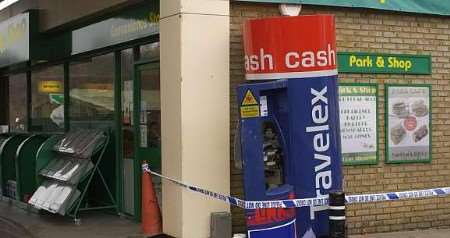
(373, 63)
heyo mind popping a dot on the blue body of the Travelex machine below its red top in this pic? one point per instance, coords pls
(301, 116)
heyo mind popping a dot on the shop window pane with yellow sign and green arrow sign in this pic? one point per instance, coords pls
(47, 99)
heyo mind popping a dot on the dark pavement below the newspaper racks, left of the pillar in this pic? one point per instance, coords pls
(16, 222)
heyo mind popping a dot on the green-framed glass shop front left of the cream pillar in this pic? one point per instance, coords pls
(103, 74)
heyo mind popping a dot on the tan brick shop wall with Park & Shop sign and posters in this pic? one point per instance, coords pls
(393, 89)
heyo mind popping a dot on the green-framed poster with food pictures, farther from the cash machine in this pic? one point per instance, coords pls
(408, 123)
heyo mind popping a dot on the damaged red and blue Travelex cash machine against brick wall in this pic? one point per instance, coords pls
(289, 120)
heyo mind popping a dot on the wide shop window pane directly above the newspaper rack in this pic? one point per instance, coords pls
(91, 92)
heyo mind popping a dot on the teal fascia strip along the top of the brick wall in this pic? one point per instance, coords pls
(437, 7)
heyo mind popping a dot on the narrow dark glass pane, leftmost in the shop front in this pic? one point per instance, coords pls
(18, 102)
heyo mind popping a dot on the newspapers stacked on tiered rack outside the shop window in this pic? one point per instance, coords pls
(71, 163)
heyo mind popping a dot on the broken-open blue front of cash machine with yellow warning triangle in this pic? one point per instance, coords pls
(264, 118)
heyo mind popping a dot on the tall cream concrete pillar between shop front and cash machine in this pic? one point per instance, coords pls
(195, 111)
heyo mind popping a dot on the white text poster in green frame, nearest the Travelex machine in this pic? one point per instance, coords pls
(358, 123)
